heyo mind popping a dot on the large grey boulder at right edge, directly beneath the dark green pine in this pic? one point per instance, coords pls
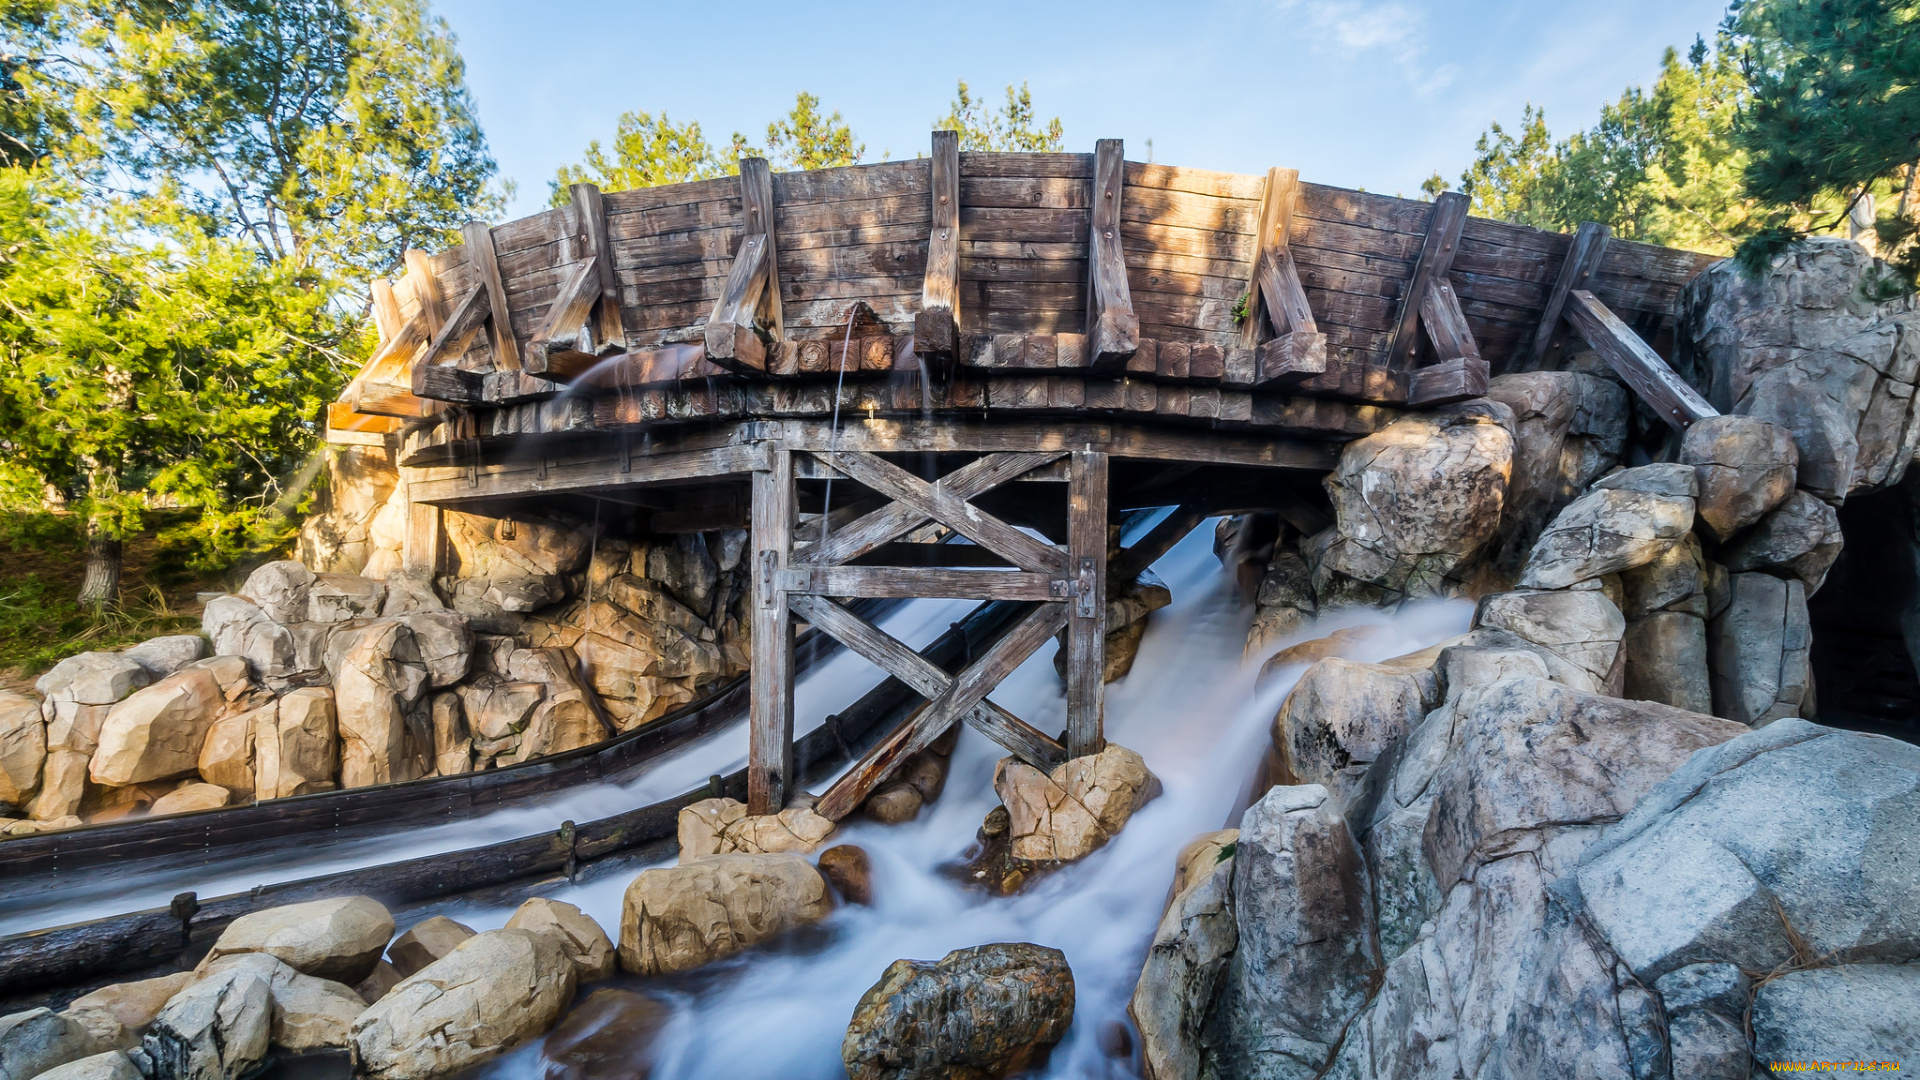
(1806, 347)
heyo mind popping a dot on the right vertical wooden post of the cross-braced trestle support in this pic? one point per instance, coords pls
(1088, 610)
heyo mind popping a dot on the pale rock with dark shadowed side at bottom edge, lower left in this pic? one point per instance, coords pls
(218, 1029)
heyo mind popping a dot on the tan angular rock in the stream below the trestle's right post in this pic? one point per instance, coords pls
(1074, 810)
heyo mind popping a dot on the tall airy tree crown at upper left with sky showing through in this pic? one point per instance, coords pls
(331, 134)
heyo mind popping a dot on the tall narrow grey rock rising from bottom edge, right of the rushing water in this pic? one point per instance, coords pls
(1303, 910)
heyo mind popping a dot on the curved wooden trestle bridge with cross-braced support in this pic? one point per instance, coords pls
(1013, 347)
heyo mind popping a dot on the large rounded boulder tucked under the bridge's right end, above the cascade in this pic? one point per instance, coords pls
(1418, 499)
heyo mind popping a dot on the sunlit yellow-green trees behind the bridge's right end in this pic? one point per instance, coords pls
(1662, 166)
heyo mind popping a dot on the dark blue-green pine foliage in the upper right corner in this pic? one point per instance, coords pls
(1833, 116)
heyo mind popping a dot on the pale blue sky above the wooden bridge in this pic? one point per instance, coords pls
(1355, 93)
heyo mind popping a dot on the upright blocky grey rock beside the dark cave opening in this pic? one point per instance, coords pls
(1760, 650)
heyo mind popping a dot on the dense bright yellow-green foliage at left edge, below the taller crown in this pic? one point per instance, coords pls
(147, 364)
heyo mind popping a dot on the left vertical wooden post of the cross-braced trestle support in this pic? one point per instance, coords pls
(771, 752)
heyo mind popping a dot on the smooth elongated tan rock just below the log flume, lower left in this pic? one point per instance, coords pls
(327, 939)
